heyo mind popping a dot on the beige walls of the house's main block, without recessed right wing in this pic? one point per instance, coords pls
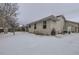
(58, 26)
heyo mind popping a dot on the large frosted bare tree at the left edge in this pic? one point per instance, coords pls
(8, 15)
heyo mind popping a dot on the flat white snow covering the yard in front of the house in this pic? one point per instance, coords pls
(23, 43)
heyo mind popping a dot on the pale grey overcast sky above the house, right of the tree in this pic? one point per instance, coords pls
(29, 12)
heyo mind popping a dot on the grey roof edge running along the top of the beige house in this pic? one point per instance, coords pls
(53, 18)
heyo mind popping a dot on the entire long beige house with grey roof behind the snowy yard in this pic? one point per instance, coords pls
(57, 23)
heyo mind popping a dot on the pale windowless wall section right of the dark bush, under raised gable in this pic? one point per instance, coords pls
(58, 25)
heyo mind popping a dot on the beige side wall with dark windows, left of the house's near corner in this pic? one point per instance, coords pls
(39, 28)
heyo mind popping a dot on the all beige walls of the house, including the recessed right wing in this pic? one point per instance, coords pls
(58, 26)
